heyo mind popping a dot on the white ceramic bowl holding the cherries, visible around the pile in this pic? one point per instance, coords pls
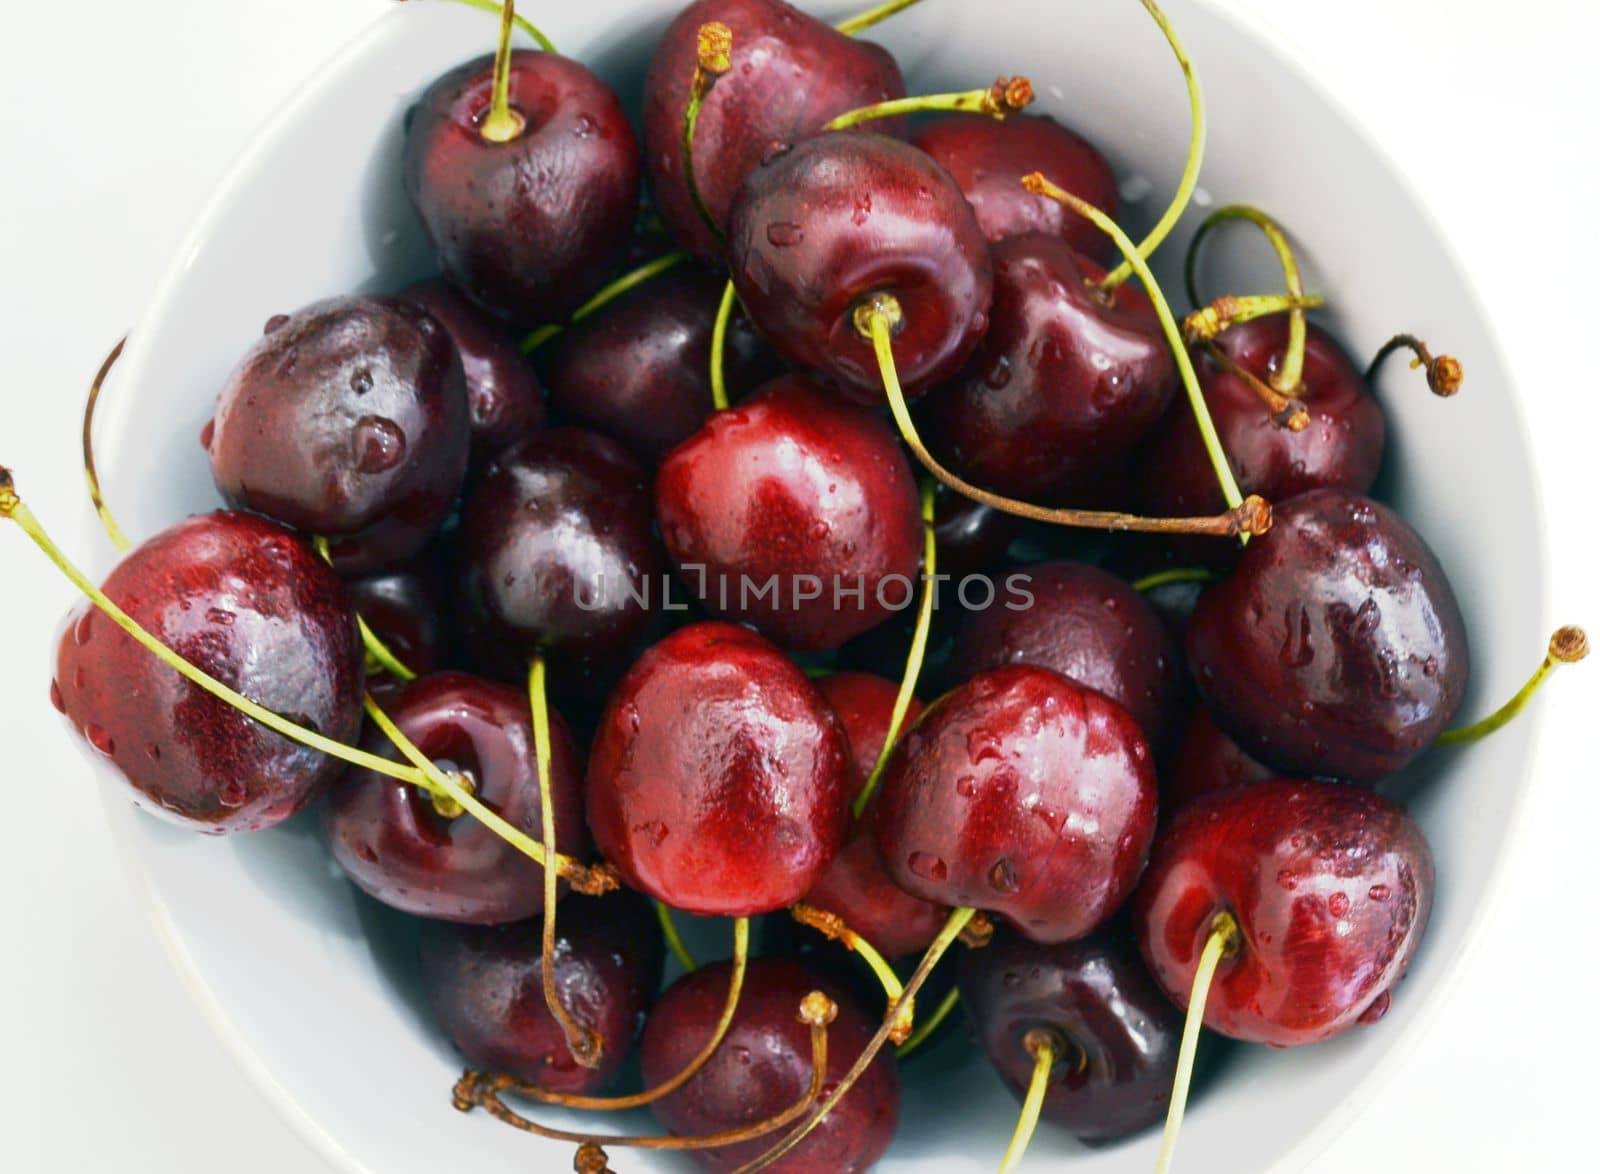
(311, 986)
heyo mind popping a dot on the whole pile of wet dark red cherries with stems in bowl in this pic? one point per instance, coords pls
(495, 591)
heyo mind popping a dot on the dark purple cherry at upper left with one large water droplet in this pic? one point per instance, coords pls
(348, 420)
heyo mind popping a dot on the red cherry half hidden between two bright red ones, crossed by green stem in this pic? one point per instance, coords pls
(855, 885)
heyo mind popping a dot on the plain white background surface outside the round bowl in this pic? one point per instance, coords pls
(118, 118)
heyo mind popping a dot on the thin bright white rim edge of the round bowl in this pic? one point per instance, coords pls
(1338, 1117)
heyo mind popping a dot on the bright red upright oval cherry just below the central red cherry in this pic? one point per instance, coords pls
(719, 775)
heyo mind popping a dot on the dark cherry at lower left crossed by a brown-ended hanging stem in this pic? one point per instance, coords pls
(487, 989)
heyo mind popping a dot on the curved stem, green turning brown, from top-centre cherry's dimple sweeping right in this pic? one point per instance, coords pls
(878, 321)
